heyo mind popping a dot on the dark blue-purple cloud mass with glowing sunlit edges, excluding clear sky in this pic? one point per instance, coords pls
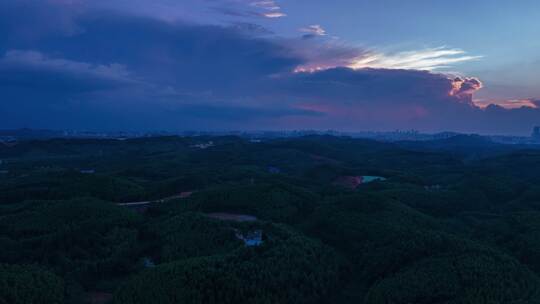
(84, 69)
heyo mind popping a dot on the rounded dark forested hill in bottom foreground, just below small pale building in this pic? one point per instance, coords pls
(288, 268)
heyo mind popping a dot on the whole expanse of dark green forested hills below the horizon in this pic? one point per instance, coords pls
(316, 219)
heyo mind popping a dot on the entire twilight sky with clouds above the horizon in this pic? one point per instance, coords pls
(347, 65)
